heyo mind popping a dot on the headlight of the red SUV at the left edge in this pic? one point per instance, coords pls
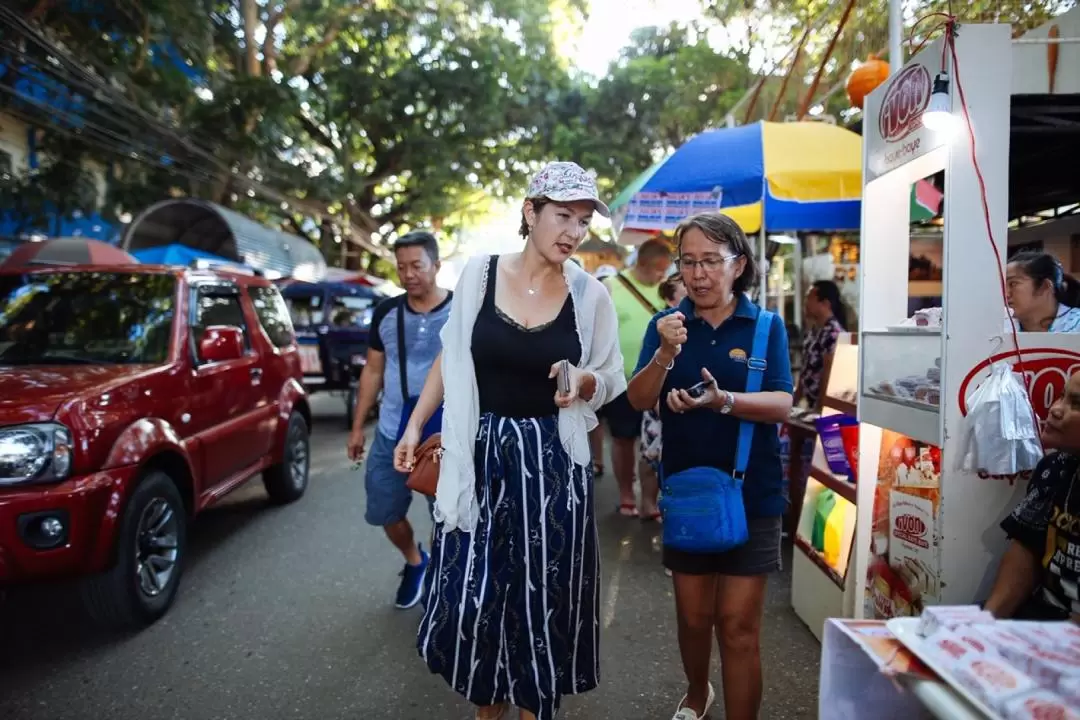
(38, 453)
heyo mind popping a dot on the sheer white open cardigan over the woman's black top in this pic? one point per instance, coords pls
(456, 504)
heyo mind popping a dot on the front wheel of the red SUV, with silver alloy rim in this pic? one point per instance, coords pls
(151, 551)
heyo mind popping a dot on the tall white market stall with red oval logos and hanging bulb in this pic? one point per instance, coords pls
(926, 531)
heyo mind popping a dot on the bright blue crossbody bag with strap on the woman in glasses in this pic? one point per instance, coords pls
(704, 507)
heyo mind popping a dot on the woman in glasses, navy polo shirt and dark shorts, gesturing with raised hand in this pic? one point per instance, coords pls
(709, 337)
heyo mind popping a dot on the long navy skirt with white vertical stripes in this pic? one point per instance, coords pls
(511, 613)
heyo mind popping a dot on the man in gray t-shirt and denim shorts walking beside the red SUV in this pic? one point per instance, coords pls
(420, 316)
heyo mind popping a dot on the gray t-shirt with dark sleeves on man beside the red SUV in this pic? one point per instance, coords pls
(423, 345)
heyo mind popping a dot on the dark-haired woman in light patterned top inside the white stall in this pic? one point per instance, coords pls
(1043, 297)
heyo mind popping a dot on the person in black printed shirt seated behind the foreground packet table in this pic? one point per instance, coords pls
(1041, 572)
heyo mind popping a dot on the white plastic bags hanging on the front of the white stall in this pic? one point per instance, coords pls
(1002, 436)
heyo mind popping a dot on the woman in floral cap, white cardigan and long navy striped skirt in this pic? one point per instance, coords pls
(511, 615)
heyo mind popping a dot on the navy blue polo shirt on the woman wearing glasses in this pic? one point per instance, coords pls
(706, 438)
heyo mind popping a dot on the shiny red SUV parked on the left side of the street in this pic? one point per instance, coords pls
(132, 398)
